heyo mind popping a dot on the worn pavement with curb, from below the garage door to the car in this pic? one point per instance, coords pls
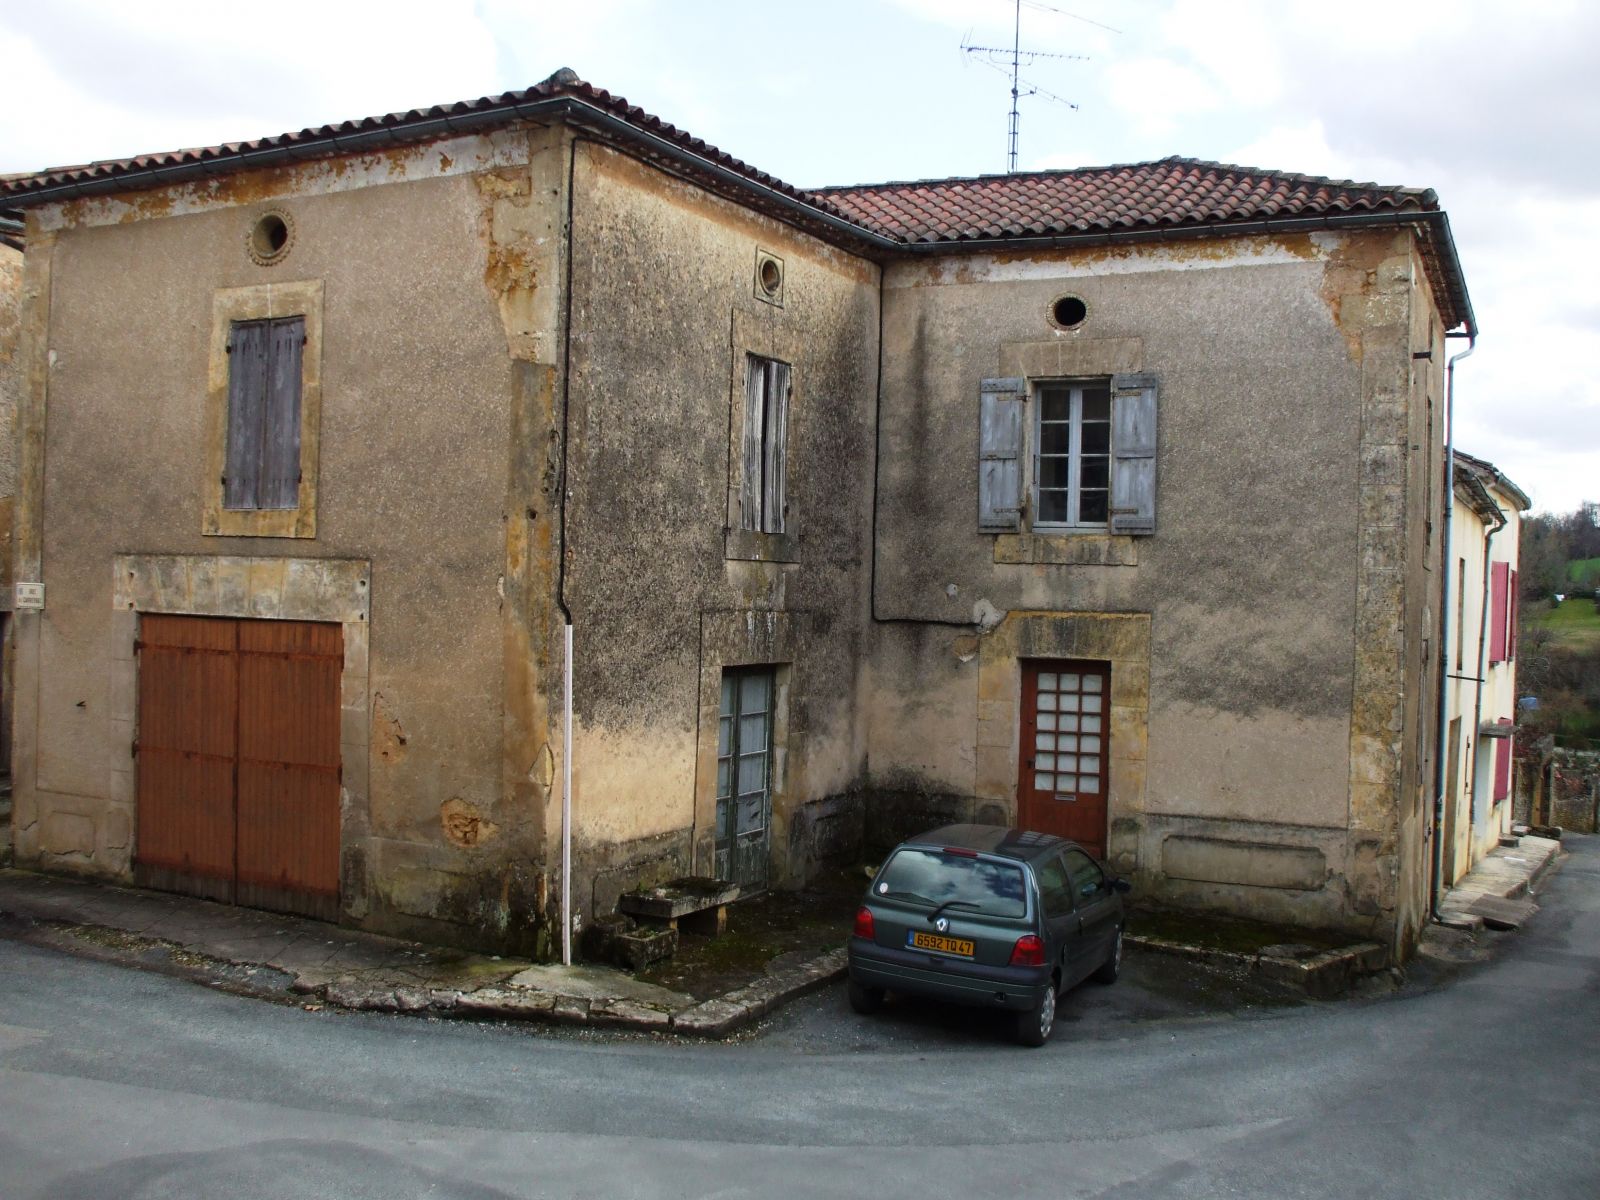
(266, 954)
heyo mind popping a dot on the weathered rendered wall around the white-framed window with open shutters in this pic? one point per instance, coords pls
(1268, 724)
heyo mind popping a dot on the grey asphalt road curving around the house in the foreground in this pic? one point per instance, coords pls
(119, 1084)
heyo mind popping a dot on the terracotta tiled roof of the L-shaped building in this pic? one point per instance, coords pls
(1151, 198)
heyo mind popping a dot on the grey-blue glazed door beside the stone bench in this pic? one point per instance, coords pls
(745, 775)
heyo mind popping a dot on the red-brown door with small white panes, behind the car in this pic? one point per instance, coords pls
(1066, 751)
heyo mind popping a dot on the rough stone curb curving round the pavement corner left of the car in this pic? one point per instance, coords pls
(713, 1018)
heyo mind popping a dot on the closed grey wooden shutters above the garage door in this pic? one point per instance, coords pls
(263, 465)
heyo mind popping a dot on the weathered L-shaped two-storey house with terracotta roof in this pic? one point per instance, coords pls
(1100, 502)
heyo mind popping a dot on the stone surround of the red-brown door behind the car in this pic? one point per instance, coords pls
(1119, 639)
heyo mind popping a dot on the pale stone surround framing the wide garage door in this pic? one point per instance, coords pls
(270, 590)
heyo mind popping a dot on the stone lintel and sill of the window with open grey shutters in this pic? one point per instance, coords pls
(1068, 356)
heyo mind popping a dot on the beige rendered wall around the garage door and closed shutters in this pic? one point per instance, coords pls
(439, 274)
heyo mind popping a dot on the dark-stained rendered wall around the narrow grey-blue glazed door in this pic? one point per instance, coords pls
(665, 586)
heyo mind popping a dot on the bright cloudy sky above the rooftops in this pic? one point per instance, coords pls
(1494, 106)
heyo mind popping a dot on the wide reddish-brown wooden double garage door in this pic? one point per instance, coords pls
(239, 761)
